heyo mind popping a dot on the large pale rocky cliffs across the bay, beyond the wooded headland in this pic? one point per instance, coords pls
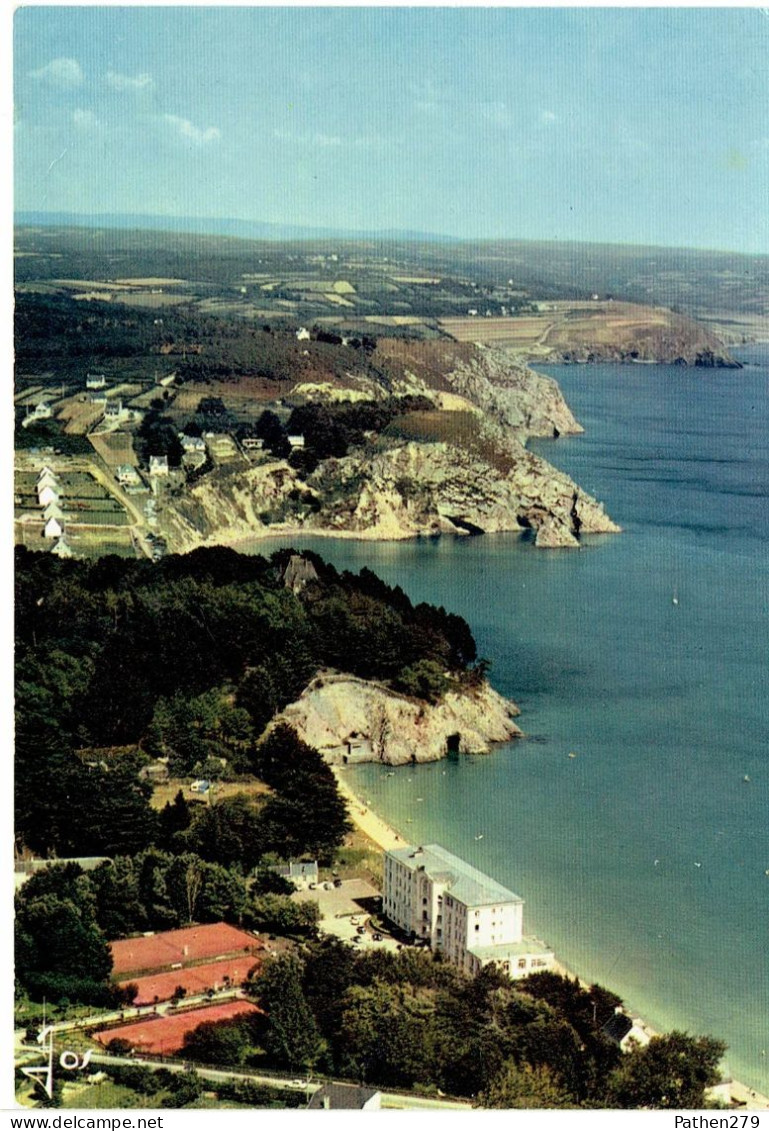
(482, 481)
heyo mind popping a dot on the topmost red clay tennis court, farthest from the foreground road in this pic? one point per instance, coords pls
(189, 945)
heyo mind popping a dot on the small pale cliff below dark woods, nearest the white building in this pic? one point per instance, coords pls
(353, 721)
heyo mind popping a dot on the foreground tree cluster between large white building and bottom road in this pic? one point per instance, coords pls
(408, 1020)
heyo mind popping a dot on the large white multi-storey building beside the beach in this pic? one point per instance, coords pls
(435, 896)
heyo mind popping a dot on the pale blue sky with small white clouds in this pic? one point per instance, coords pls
(616, 125)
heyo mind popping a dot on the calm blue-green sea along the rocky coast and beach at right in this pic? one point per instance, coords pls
(643, 860)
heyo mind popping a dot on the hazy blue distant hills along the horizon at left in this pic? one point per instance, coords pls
(205, 226)
